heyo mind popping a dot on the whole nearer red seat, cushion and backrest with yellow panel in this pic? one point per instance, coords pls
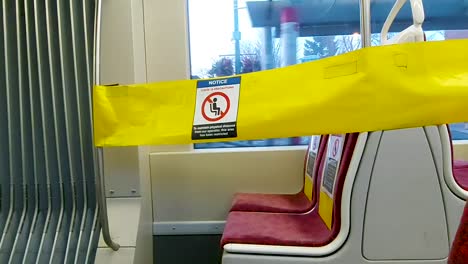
(309, 229)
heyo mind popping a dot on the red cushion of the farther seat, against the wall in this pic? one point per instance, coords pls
(274, 203)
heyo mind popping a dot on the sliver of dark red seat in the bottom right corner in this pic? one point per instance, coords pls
(459, 251)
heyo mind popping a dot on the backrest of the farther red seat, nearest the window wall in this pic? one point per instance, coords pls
(314, 155)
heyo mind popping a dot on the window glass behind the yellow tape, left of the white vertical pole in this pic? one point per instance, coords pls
(222, 33)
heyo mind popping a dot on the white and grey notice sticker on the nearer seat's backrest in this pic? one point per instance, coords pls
(333, 158)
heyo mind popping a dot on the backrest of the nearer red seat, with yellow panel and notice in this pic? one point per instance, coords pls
(332, 174)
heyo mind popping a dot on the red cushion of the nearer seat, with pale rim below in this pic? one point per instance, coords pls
(276, 229)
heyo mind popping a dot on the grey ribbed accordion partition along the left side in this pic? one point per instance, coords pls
(48, 204)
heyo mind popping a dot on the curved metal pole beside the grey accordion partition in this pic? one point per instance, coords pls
(99, 168)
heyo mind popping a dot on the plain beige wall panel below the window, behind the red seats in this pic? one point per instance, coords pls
(199, 185)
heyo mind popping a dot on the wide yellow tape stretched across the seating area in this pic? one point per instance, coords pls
(377, 88)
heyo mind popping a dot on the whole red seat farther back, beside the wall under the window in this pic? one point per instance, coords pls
(300, 202)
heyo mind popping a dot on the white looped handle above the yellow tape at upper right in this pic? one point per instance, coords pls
(412, 33)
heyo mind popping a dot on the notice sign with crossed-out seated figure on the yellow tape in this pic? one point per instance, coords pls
(216, 106)
